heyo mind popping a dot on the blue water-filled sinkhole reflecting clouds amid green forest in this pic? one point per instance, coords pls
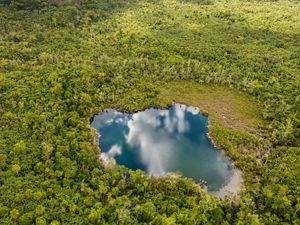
(162, 141)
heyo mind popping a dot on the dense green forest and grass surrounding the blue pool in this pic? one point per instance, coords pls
(62, 61)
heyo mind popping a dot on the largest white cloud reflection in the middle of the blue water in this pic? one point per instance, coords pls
(156, 146)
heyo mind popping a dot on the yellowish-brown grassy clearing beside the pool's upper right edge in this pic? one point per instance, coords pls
(230, 108)
